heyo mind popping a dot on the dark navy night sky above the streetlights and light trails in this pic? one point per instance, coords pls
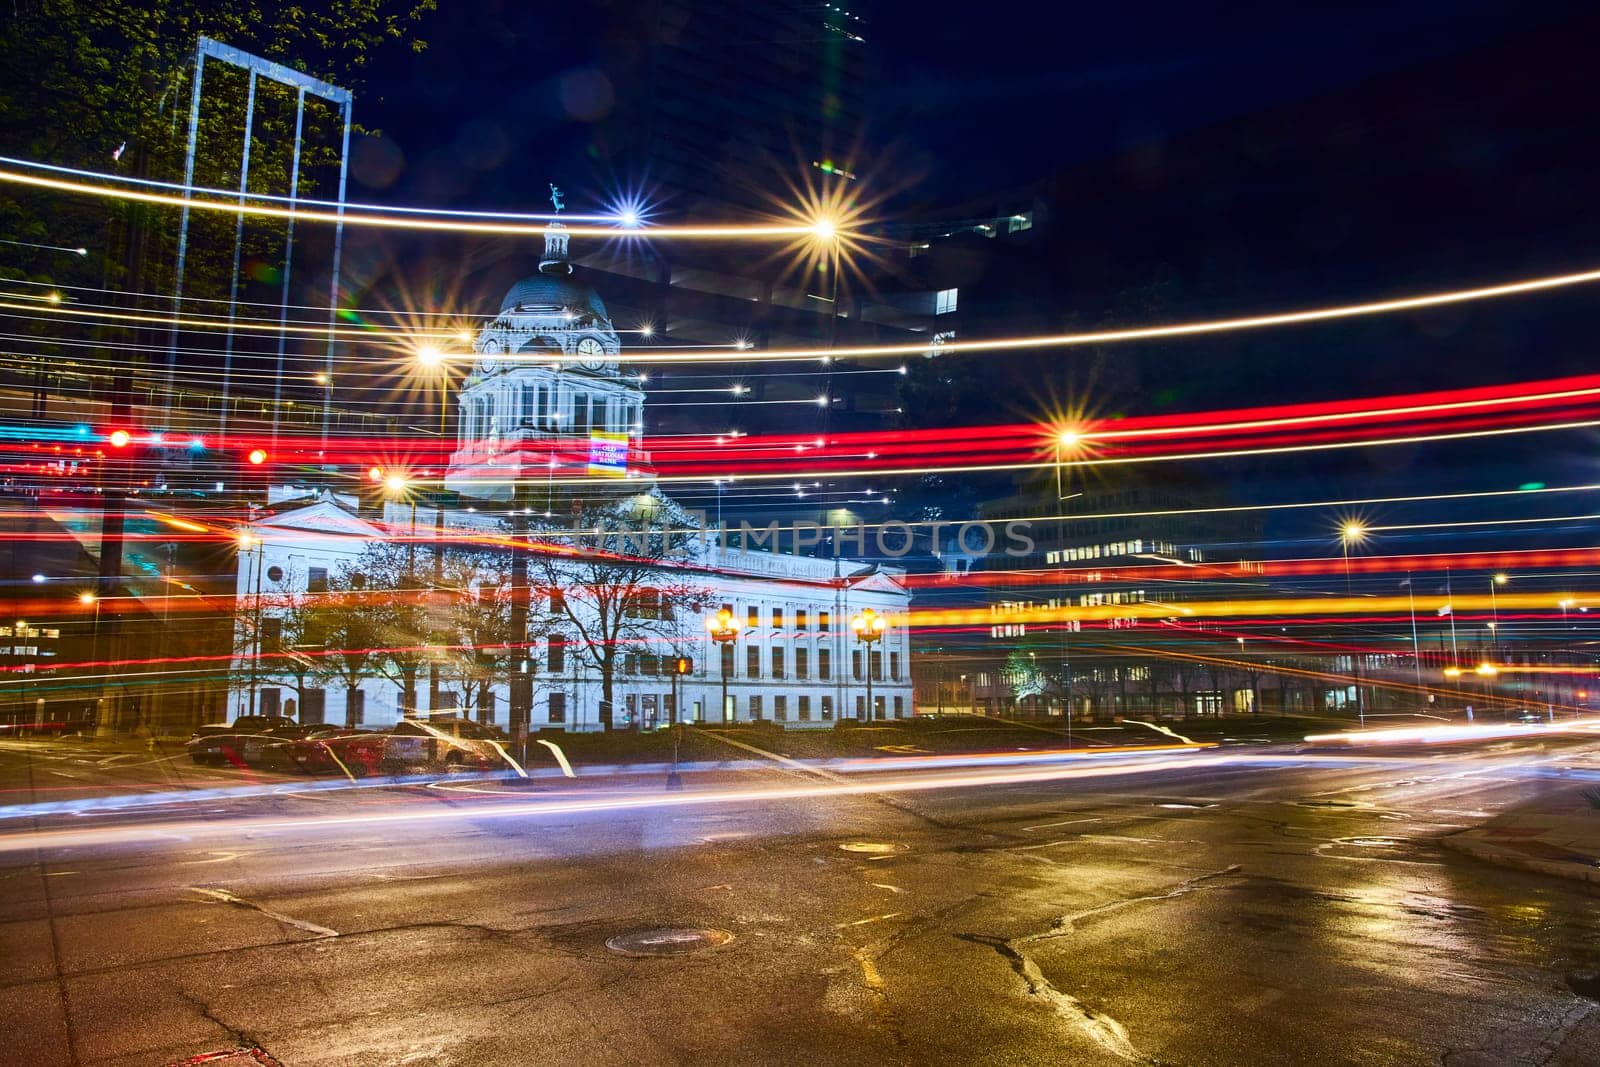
(1442, 148)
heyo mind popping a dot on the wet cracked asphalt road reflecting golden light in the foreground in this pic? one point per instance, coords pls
(1263, 906)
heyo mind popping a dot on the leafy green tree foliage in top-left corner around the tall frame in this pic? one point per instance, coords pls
(105, 86)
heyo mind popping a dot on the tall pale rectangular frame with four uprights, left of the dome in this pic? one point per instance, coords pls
(258, 68)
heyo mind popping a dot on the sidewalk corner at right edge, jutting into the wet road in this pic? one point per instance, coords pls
(1559, 837)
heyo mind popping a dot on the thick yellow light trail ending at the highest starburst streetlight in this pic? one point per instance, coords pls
(407, 223)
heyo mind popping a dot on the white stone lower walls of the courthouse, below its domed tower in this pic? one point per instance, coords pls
(796, 660)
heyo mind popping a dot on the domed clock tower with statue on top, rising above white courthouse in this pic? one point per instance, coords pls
(545, 399)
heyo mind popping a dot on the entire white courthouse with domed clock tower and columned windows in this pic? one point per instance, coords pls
(524, 428)
